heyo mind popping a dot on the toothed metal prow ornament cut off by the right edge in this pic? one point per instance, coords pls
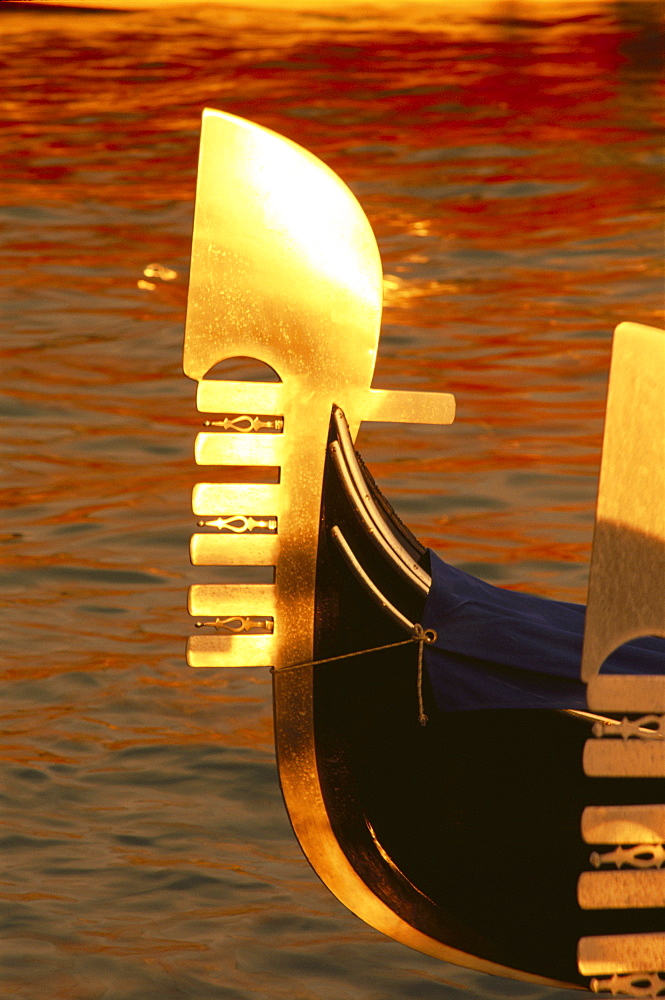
(625, 602)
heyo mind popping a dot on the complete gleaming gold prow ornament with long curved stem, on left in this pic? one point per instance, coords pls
(285, 269)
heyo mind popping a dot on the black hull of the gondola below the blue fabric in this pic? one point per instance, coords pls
(469, 827)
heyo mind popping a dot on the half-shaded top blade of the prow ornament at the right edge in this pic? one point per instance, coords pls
(626, 593)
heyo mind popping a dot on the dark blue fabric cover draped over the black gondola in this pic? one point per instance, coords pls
(501, 649)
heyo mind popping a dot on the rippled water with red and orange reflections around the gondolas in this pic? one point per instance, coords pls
(506, 155)
